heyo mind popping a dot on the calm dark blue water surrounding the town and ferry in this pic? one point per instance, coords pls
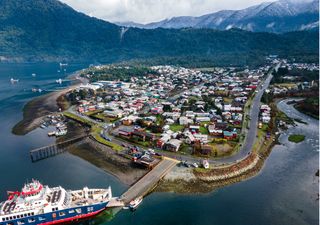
(285, 191)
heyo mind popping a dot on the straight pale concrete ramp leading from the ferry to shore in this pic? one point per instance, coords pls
(146, 183)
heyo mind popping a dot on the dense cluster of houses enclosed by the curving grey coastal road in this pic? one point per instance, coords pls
(180, 110)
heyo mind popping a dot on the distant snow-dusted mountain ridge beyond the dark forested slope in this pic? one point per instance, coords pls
(280, 16)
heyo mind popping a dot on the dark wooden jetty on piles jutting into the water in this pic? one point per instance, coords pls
(55, 149)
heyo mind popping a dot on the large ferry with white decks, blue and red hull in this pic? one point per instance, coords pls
(38, 204)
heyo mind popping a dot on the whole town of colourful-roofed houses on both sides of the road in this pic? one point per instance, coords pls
(188, 114)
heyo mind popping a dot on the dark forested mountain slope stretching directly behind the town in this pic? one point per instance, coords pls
(48, 30)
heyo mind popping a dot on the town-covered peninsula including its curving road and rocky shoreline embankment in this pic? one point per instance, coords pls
(210, 121)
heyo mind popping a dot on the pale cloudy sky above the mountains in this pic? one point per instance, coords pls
(146, 11)
